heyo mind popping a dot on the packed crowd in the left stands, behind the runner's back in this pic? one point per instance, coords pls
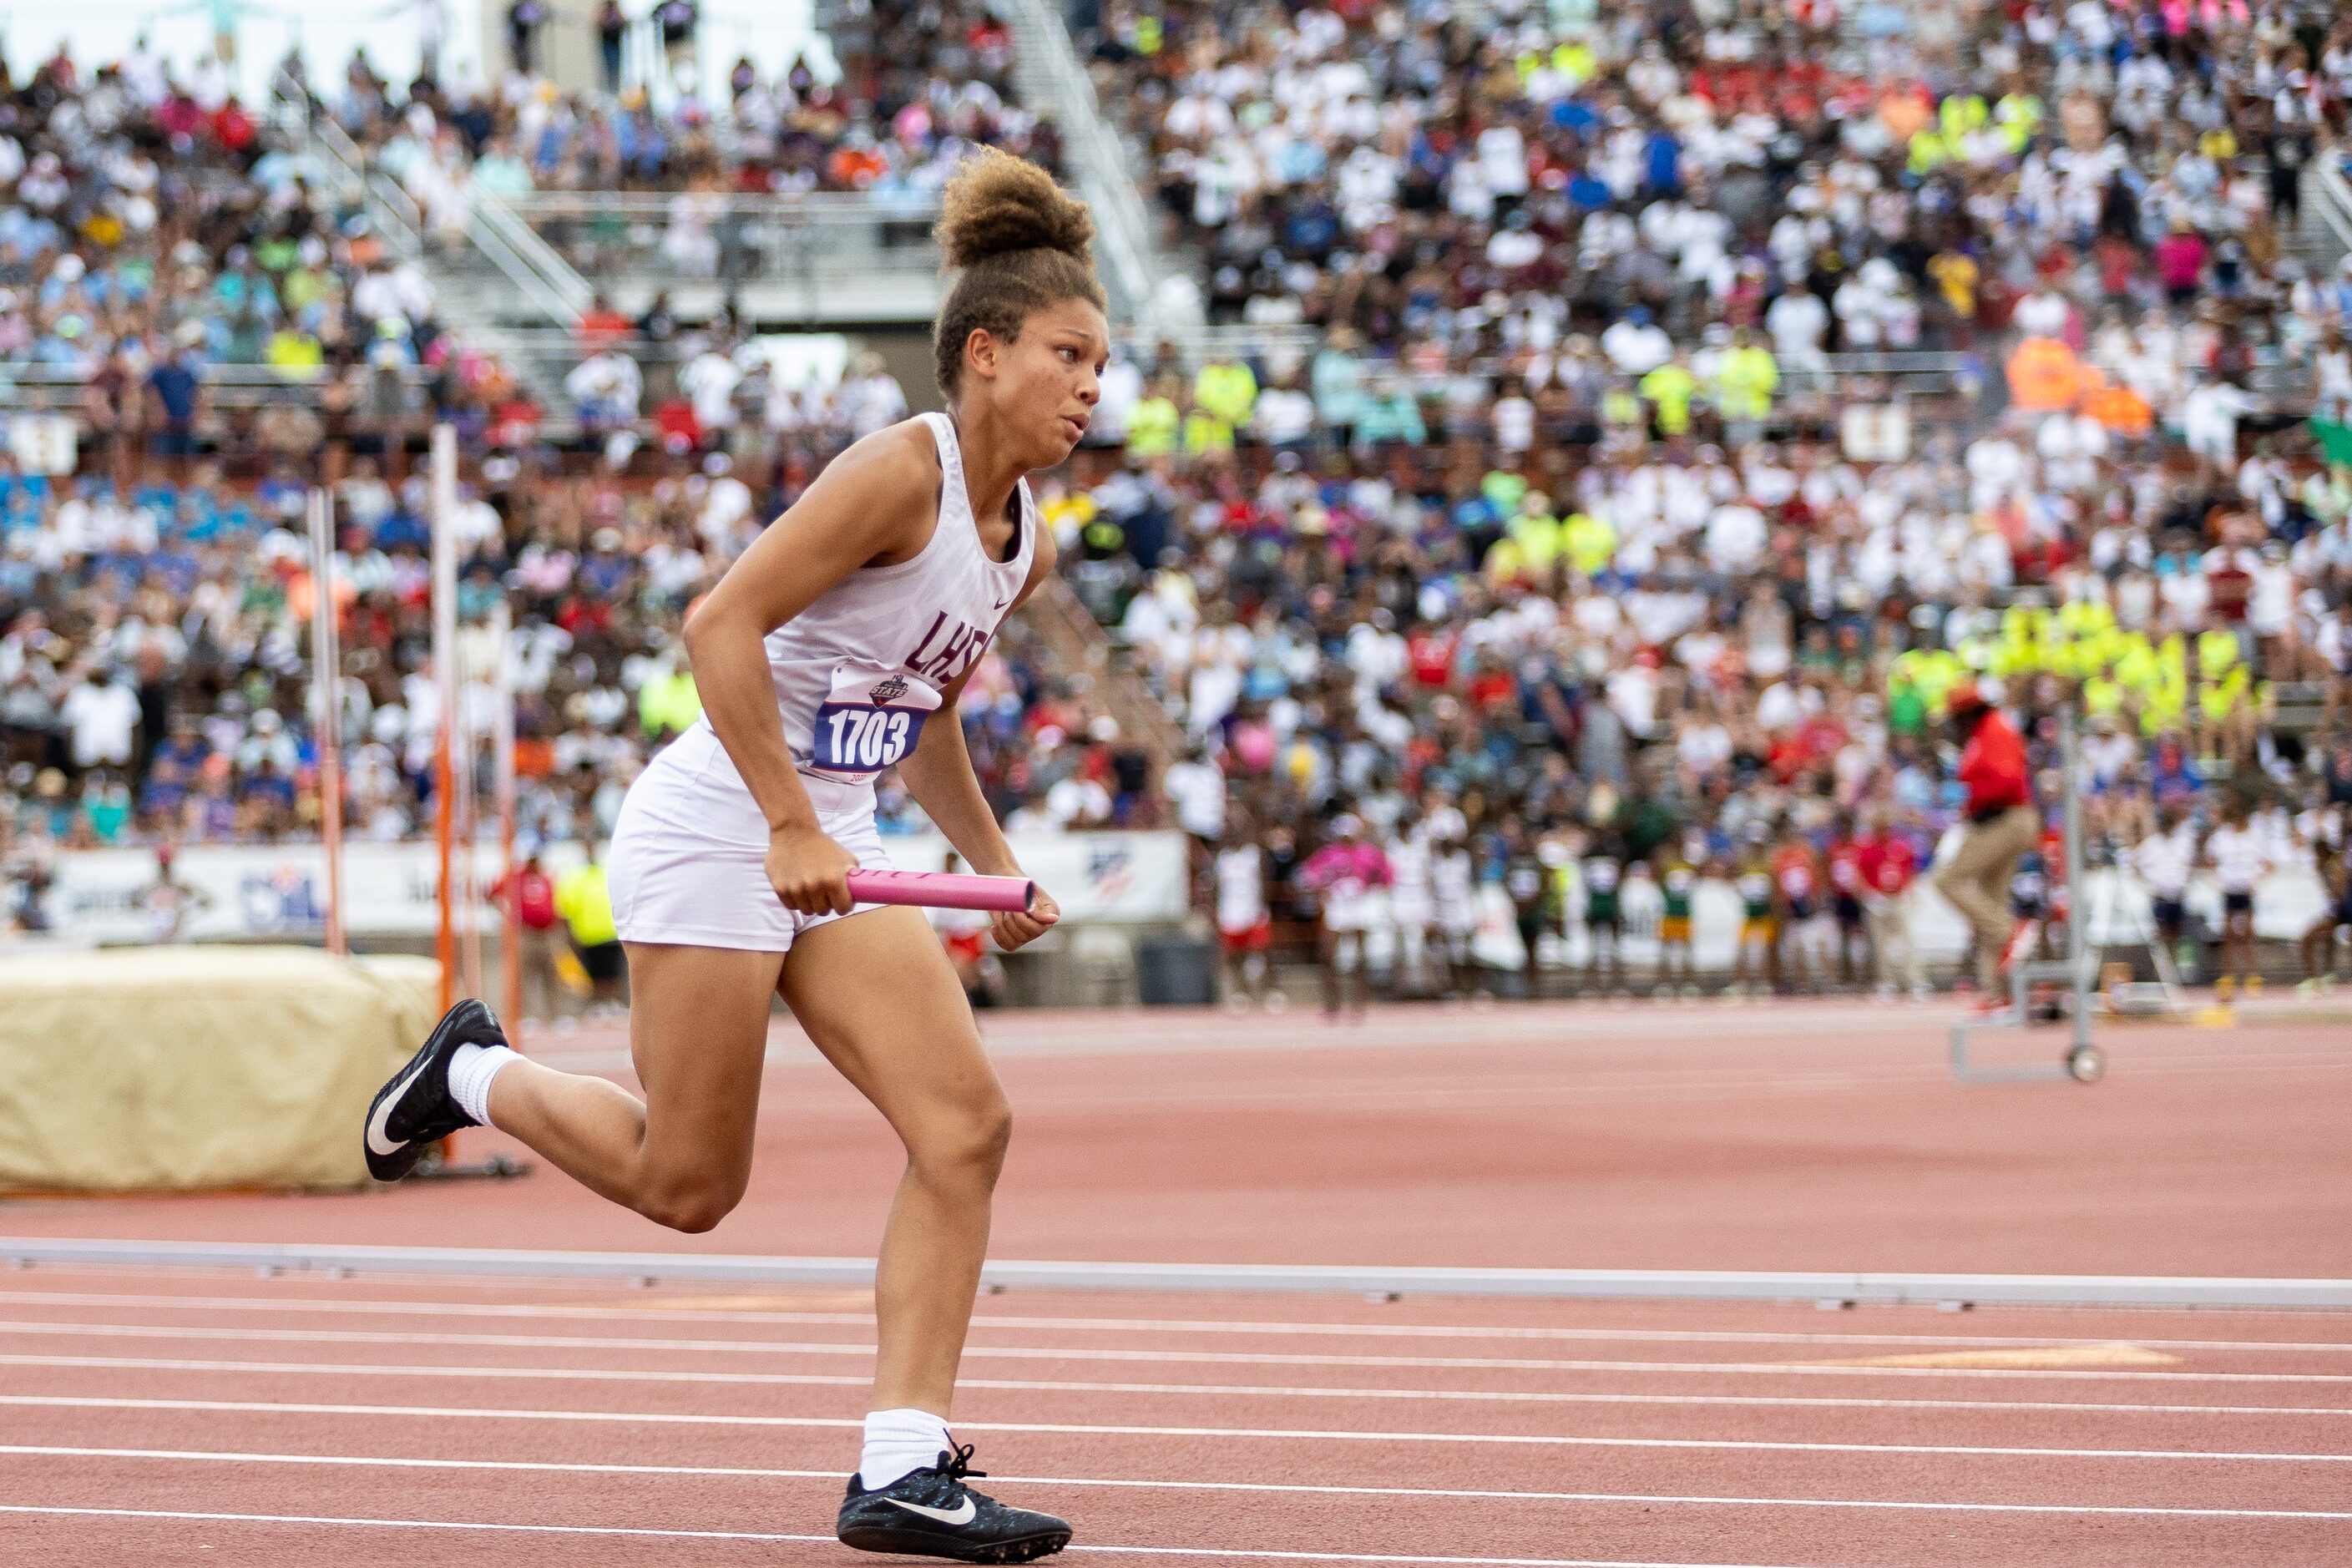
(154, 603)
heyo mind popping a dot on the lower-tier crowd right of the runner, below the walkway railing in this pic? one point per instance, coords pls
(1728, 671)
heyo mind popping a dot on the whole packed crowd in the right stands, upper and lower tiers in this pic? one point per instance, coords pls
(1553, 542)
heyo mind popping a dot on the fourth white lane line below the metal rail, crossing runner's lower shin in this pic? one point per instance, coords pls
(1285, 1435)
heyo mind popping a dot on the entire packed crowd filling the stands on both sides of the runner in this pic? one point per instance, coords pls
(1539, 532)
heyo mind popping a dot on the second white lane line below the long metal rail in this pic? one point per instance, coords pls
(1149, 1358)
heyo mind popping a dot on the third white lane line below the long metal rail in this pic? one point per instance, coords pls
(1217, 1391)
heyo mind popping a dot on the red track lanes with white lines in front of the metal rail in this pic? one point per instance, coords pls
(225, 1419)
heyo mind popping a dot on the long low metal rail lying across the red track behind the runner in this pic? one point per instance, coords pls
(1829, 1289)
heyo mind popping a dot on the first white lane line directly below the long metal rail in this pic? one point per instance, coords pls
(1097, 1325)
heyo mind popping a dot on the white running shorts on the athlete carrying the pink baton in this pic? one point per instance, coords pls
(690, 852)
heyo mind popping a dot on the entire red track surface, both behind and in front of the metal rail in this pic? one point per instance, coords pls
(185, 1416)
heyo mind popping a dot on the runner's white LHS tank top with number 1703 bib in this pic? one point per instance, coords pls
(860, 671)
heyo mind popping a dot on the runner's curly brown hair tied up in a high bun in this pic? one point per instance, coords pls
(1017, 246)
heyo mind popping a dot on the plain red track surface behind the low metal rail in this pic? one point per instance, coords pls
(1805, 1137)
